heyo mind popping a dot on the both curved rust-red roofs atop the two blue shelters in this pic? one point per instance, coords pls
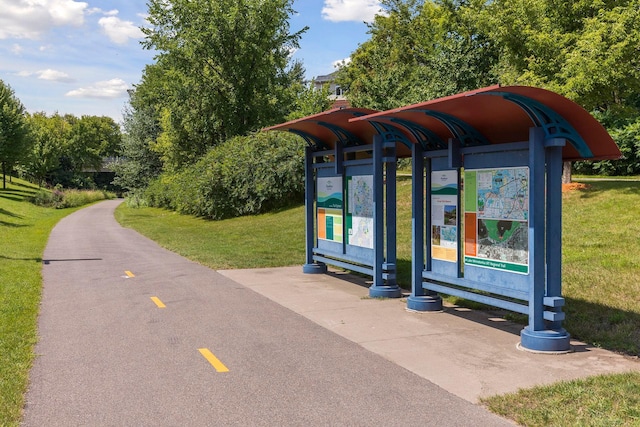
(492, 115)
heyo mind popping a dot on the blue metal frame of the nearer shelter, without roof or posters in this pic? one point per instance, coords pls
(537, 293)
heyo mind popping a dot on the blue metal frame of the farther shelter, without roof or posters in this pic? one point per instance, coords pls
(379, 262)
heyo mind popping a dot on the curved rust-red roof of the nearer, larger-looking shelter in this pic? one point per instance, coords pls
(503, 114)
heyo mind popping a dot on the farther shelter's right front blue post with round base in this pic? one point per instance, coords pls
(378, 289)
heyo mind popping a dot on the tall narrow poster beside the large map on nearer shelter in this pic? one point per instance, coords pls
(444, 215)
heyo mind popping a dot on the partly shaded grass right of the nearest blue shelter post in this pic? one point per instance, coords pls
(601, 264)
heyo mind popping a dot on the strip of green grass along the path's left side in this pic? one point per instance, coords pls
(24, 230)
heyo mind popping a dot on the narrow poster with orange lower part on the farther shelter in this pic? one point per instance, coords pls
(329, 205)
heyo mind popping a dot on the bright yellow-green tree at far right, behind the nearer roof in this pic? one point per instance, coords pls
(585, 50)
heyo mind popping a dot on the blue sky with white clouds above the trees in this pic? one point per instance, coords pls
(80, 57)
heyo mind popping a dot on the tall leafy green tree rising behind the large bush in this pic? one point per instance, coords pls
(224, 68)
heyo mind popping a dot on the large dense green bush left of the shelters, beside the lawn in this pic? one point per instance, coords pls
(243, 176)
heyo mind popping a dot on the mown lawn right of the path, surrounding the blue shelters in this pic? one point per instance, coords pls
(601, 284)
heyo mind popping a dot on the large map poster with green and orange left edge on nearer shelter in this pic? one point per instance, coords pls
(496, 219)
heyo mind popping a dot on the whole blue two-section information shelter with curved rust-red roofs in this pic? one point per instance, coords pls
(486, 202)
